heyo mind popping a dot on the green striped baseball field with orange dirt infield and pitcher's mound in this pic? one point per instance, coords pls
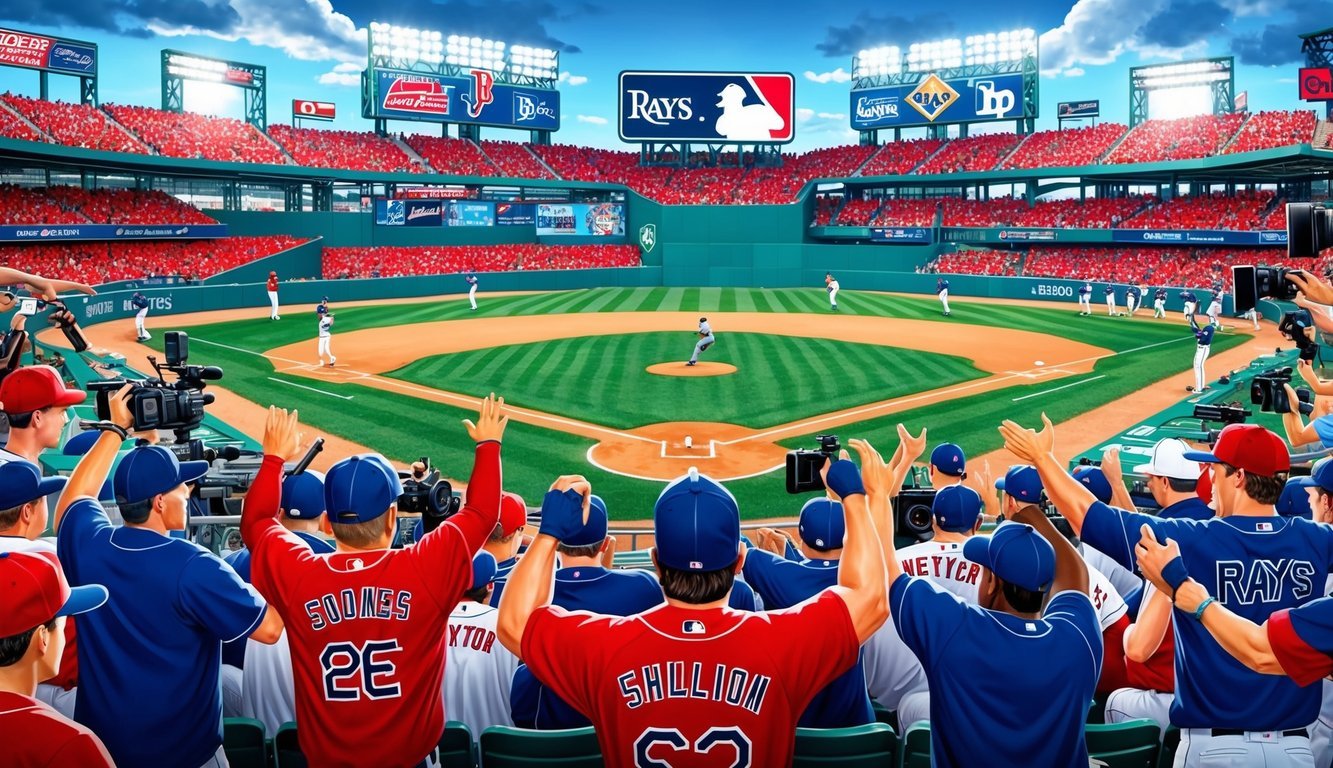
(577, 369)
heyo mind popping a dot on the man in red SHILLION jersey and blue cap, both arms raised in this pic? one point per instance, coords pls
(694, 677)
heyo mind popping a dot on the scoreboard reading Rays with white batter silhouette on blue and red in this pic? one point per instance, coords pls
(718, 107)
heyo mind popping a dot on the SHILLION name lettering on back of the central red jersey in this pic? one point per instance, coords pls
(732, 686)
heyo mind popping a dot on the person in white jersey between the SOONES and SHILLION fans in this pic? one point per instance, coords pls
(477, 689)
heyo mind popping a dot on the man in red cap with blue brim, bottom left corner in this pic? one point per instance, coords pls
(37, 602)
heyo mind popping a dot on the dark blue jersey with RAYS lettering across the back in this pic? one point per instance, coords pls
(1254, 566)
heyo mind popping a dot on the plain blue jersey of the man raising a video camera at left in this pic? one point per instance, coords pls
(150, 659)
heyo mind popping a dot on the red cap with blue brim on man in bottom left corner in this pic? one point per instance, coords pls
(35, 593)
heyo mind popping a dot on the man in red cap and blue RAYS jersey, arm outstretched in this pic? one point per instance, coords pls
(1256, 563)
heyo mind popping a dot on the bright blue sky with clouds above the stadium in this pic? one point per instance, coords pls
(315, 49)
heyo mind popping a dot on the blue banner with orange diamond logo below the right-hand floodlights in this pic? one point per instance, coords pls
(938, 102)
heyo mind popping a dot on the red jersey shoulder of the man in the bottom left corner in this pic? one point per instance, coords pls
(37, 737)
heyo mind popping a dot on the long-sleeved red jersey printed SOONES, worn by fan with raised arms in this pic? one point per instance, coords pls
(367, 630)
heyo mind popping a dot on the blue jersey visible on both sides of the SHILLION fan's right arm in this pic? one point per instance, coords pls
(786, 583)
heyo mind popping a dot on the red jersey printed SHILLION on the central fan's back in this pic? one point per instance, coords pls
(718, 689)
